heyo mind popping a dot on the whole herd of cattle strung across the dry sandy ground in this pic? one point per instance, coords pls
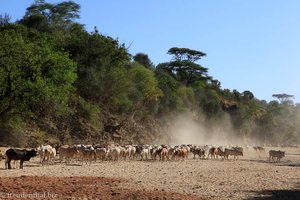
(89, 153)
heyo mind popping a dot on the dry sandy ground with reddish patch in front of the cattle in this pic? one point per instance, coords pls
(251, 177)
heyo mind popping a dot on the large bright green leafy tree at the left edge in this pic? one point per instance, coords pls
(35, 79)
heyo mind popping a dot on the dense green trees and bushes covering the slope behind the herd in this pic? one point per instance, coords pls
(62, 84)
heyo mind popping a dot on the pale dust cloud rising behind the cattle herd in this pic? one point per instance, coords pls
(187, 129)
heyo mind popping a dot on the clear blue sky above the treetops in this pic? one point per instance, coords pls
(250, 45)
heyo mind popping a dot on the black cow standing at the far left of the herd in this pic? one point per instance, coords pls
(18, 154)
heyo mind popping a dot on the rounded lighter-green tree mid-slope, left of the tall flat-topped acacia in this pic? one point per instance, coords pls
(134, 88)
